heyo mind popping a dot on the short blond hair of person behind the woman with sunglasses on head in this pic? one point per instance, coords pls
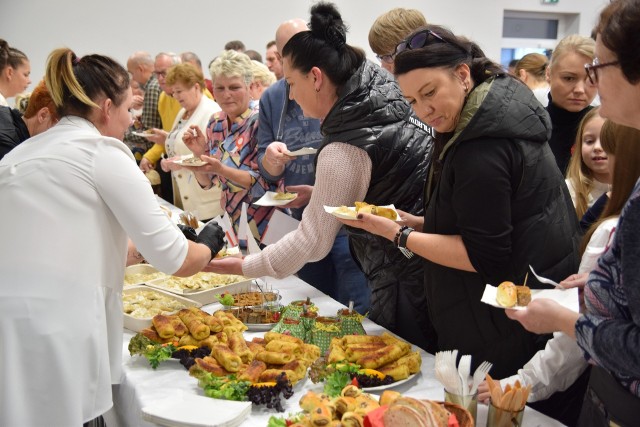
(392, 27)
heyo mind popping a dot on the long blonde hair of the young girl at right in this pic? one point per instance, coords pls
(580, 176)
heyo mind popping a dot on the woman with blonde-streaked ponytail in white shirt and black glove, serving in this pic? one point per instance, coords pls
(71, 198)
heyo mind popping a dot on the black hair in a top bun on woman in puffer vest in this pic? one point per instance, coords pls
(324, 46)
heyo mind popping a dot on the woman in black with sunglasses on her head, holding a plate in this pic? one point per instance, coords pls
(495, 201)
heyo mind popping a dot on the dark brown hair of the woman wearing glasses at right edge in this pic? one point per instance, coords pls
(618, 31)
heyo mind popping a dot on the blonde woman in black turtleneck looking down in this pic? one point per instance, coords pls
(570, 94)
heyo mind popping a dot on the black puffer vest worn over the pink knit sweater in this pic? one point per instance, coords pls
(372, 114)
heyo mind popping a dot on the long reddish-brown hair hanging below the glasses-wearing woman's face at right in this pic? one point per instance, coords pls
(623, 143)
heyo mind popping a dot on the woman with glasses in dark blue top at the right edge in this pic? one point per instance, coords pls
(608, 332)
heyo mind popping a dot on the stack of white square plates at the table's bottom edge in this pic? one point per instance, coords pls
(191, 410)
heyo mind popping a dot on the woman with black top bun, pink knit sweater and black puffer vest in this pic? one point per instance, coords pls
(373, 150)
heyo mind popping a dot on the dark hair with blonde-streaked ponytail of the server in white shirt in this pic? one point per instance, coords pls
(77, 84)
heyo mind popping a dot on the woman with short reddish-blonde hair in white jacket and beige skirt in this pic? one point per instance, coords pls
(187, 83)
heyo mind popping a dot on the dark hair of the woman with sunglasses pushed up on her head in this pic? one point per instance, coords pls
(442, 48)
